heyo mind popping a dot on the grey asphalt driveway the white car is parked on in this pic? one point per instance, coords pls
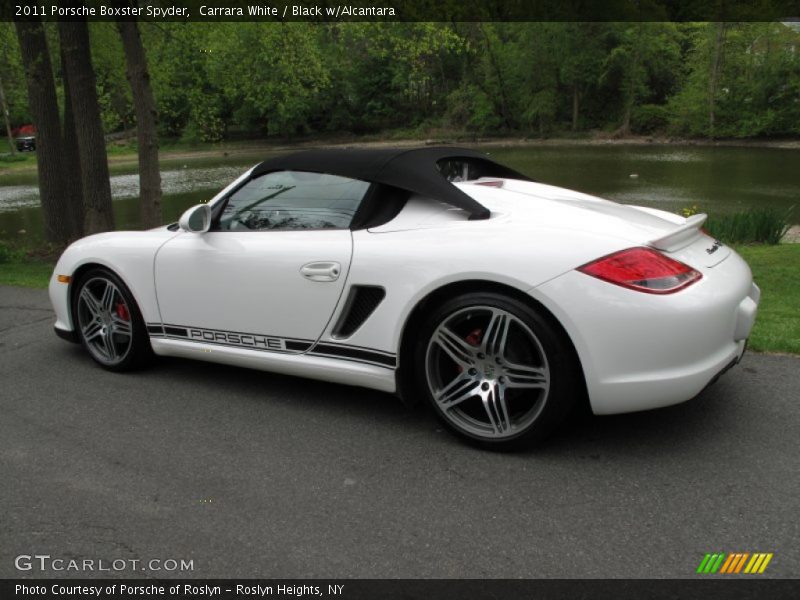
(250, 474)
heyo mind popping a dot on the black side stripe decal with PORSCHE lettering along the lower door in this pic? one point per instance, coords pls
(269, 343)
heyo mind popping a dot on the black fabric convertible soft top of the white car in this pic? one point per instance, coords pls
(425, 171)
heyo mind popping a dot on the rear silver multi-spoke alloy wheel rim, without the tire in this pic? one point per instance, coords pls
(487, 372)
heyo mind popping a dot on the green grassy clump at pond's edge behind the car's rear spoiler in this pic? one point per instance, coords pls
(756, 225)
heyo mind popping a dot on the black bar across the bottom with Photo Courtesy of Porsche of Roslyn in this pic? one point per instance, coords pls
(732, 588)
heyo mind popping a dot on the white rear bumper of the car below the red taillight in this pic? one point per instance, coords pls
(641, 351)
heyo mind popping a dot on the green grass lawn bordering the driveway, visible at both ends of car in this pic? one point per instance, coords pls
(776, 270)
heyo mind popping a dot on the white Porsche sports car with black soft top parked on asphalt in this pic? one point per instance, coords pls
(432, 273)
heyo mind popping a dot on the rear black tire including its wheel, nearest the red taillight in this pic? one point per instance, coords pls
(522, 400)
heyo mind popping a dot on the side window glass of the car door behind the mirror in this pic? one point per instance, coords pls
(292, 200)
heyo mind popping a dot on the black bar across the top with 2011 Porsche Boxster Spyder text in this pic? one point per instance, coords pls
(408, 10)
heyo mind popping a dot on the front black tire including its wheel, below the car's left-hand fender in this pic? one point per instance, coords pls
(128, 352)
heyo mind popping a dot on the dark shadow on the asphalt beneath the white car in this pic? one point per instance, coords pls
(656, 431)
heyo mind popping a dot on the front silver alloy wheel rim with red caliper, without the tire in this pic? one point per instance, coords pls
(104, 319)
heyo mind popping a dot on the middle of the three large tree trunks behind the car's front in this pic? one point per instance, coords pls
(99, 215)
